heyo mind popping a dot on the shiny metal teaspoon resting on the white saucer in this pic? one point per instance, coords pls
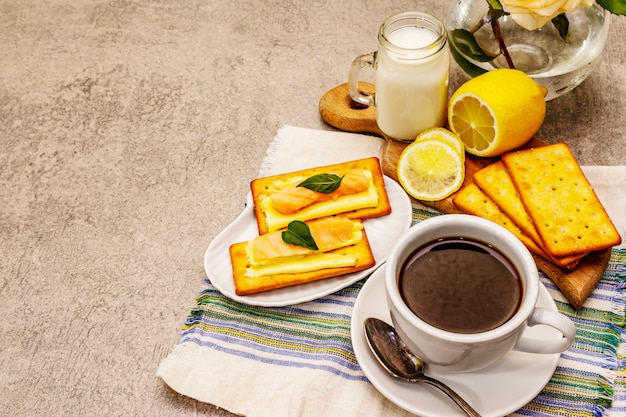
(403, 364)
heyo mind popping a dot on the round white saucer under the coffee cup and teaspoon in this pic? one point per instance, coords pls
(495, 391)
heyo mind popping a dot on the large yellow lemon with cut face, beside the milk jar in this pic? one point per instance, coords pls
(497, 111)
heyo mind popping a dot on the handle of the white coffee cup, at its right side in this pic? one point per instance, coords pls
(555, 320)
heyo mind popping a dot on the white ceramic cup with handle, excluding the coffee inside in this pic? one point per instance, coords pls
(456, 352)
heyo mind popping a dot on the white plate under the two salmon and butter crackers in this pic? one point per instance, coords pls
(382, 232)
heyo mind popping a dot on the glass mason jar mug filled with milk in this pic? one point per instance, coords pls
(412, 67)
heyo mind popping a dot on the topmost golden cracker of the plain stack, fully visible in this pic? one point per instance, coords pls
(567, 214)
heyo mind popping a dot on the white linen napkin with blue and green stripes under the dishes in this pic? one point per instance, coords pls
(297, 361)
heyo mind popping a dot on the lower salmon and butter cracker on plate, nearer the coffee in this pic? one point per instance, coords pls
(269, 262)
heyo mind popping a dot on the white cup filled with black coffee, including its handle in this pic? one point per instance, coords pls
(461, 291)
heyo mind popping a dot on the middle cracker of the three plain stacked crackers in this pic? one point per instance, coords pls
(495, 181)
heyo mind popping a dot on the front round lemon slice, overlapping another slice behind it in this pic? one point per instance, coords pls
(431, 169)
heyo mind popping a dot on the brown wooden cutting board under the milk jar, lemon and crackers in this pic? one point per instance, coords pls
(338, 110)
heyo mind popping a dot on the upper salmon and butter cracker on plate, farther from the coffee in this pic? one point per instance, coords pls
(361, 194)
